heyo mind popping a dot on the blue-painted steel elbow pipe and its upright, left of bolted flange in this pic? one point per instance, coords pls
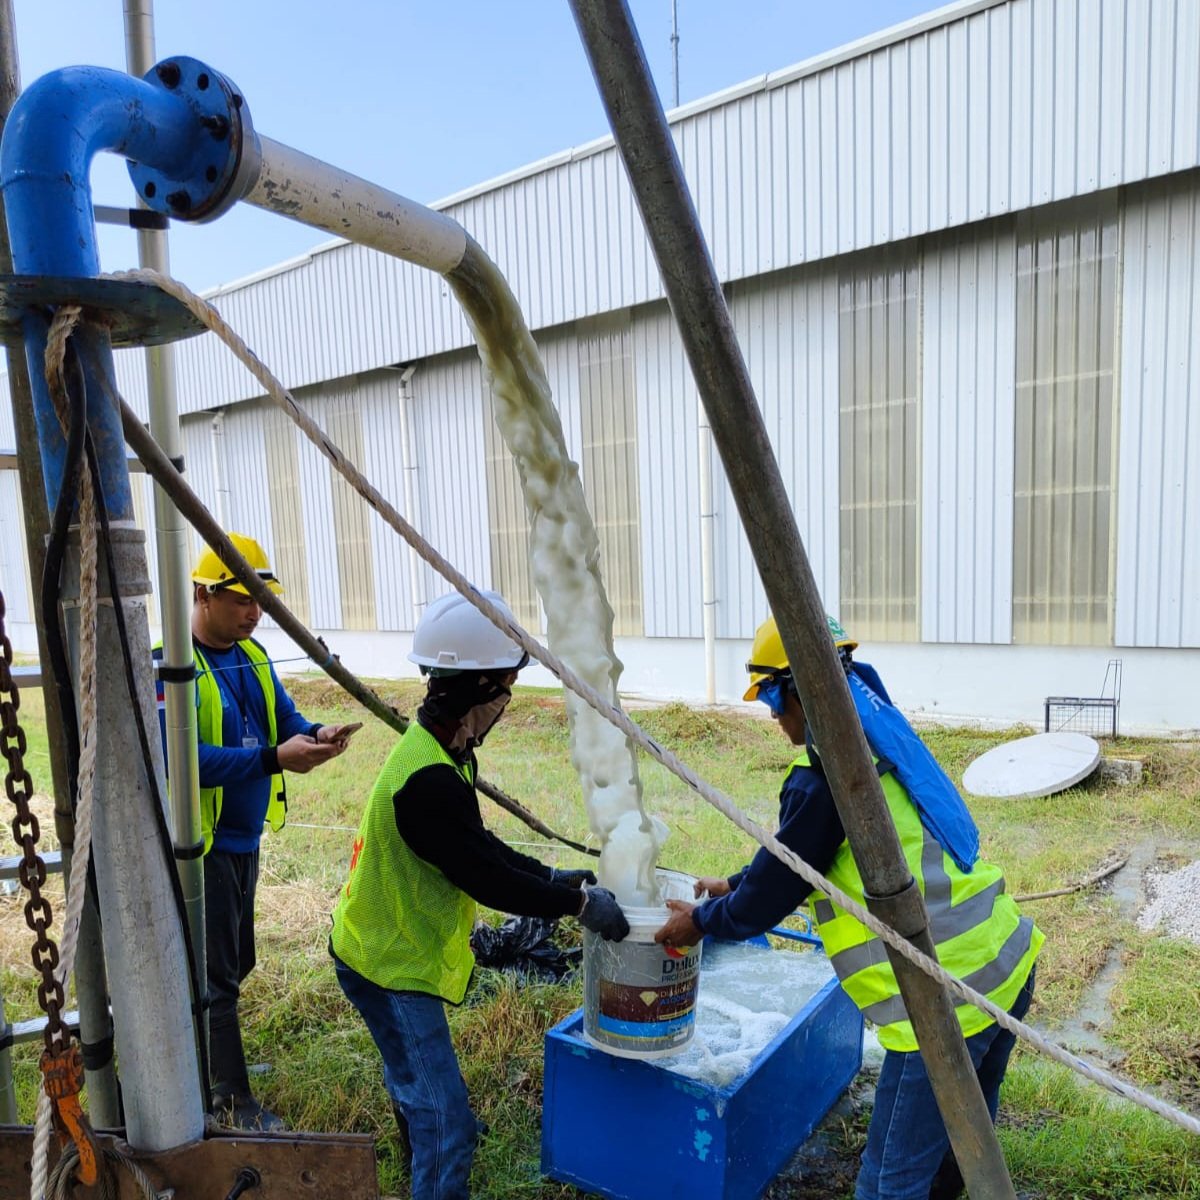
(55, 131)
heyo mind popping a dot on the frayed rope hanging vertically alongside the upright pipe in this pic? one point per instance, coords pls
(56, 351)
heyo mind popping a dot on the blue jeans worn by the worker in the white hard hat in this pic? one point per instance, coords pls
(422, 1075)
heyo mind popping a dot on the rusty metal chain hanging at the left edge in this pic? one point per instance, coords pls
(26, 831)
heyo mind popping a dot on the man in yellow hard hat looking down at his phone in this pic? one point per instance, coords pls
(250, 733)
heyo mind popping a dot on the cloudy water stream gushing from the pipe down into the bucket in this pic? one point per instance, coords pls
(566, 556)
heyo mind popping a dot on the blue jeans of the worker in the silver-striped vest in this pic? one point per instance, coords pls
(907, 1144)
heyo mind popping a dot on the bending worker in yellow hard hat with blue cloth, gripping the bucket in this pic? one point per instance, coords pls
(976, 927)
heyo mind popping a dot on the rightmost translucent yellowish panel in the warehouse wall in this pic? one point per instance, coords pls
(1065, 452)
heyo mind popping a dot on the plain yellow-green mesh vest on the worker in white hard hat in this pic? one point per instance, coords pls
(399, 921)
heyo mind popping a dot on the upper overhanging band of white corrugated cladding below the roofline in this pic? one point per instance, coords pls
(970, 117)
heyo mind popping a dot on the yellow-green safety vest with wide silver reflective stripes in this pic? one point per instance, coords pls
(975, 925)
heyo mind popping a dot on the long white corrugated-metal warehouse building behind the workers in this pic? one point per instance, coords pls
(962, 257)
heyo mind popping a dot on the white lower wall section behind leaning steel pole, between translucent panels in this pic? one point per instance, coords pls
(788, 328)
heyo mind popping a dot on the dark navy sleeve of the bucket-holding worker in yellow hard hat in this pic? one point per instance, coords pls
(767, 891)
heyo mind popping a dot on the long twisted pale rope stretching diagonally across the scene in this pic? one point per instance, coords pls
(213, 320)
